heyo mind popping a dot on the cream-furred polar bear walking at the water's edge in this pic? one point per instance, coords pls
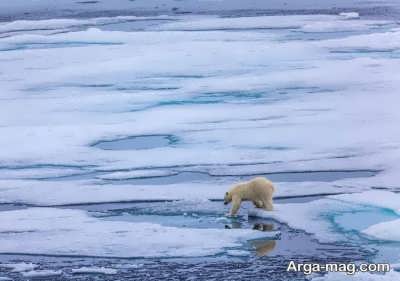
(258, 190)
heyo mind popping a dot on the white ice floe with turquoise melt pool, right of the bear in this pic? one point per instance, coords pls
(316, 217)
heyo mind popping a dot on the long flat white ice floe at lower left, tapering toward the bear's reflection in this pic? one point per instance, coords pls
(74, 232)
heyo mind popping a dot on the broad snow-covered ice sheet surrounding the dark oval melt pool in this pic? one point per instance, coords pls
(209, 133)
